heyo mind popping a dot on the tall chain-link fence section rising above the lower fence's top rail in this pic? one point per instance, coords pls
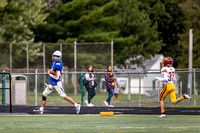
(75, 55)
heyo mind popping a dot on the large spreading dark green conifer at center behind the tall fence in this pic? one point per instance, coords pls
(103, 21)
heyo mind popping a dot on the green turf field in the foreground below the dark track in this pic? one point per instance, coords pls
(101, 124)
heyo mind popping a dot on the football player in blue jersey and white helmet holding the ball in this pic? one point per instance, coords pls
(56, 84)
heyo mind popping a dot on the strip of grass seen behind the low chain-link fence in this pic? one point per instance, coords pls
(102, 96)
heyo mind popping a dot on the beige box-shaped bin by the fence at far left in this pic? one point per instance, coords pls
(18, 90)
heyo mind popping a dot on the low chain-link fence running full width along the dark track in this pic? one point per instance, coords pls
(137, 89)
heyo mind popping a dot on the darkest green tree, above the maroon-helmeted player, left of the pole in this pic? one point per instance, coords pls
(169, 18)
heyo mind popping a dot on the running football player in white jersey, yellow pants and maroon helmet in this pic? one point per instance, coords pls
(168, 78)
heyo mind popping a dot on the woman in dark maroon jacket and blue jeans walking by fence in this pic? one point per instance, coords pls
(110, 85)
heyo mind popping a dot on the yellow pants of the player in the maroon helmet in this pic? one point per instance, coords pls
(168, 89)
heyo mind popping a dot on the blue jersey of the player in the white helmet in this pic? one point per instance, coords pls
(56, 66)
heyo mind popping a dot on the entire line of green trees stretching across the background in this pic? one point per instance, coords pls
(139, 28)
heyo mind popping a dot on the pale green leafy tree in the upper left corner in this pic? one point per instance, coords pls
(18, 17)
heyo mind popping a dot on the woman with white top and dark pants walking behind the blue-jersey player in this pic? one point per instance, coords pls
(90, 77)
